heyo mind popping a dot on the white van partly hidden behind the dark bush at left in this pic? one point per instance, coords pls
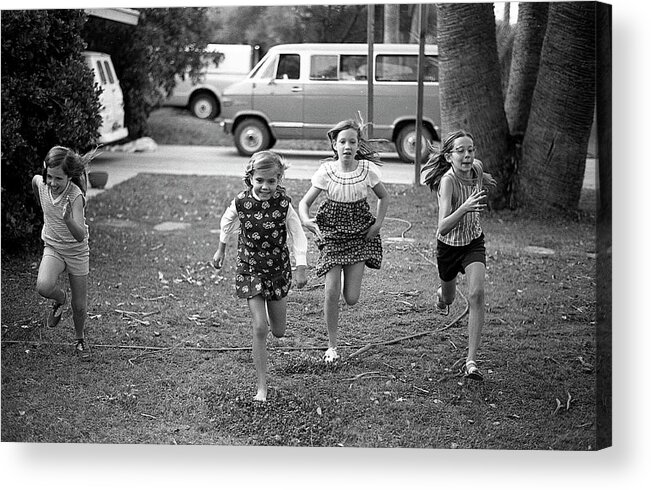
(110, 98)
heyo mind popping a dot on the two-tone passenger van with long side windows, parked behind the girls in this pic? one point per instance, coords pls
(299, 91)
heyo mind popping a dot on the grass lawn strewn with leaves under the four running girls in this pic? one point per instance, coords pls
(171, 343)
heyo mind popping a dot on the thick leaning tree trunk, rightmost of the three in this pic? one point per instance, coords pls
(555, 144)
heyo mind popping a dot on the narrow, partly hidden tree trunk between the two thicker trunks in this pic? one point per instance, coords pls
(529, 36)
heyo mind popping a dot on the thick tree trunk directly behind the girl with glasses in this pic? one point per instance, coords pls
(470, 85)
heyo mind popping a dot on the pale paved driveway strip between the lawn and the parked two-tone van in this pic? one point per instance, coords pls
(219, 160)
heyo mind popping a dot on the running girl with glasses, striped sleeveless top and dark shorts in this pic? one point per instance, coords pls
(460, 183)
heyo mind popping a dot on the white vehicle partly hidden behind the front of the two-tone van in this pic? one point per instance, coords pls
(204, 99)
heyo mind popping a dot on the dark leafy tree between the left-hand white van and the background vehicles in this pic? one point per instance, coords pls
(166, 42)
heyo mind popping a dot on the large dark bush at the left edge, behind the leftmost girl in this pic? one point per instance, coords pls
(48, 98)
